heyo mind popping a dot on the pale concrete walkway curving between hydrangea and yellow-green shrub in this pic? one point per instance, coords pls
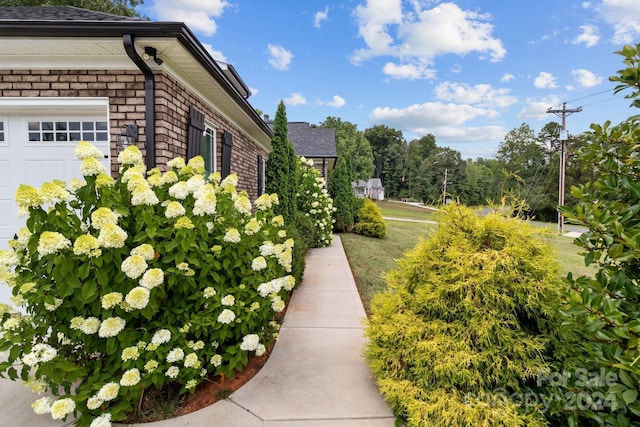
(315, 376)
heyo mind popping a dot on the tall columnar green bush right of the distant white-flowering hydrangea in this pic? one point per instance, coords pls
(344, 199)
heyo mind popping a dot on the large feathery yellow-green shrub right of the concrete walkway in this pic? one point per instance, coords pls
(467, 325)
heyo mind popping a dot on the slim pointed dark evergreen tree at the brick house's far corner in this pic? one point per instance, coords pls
(282, 167)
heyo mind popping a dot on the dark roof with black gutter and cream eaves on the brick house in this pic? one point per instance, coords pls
(40, 36)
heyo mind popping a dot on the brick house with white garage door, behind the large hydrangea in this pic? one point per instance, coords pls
(69, 74)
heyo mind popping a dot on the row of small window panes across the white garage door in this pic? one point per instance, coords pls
(68, 131)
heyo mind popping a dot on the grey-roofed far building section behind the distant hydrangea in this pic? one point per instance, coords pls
(317, 144)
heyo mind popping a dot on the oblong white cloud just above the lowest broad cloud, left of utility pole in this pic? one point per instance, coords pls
(480, 94)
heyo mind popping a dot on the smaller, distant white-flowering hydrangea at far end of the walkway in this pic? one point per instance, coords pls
(314, 201)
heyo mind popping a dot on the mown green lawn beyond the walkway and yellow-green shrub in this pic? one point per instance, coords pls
(371, 258)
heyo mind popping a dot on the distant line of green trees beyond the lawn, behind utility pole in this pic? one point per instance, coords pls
(527, 166)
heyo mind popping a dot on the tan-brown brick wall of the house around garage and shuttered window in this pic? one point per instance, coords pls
(125, 90)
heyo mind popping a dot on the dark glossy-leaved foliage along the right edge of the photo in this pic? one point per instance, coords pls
(606, 308)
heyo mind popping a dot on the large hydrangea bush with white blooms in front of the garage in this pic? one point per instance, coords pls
(137, 282)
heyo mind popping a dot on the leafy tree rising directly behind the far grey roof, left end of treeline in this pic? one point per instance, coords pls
(350, 142)
